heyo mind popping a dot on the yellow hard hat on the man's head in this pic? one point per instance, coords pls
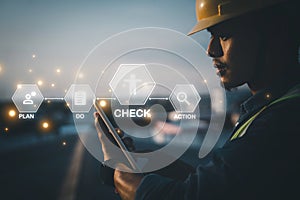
(212, 12)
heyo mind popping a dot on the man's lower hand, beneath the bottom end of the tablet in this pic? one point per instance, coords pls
(126, 184)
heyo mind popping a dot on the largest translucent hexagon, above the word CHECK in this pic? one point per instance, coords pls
(132, 84)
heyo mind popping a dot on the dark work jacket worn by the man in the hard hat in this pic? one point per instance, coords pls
(262, 164)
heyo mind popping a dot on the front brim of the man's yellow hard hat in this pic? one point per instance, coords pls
(209, 22)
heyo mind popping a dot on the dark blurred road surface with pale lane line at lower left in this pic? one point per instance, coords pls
(58, 168)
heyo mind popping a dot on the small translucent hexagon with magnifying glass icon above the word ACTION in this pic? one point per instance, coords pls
(185, 98)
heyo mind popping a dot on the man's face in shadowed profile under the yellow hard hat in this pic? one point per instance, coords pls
(234, 49)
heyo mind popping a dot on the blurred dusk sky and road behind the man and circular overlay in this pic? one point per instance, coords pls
(44, 43)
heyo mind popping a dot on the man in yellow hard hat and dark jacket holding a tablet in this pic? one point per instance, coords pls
(254, 43)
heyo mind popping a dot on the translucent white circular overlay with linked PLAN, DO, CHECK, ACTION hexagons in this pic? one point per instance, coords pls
(145, 81)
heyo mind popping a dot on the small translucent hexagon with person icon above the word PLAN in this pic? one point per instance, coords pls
(27, 98)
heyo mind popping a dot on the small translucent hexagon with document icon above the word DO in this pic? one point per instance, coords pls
(80, 98)
